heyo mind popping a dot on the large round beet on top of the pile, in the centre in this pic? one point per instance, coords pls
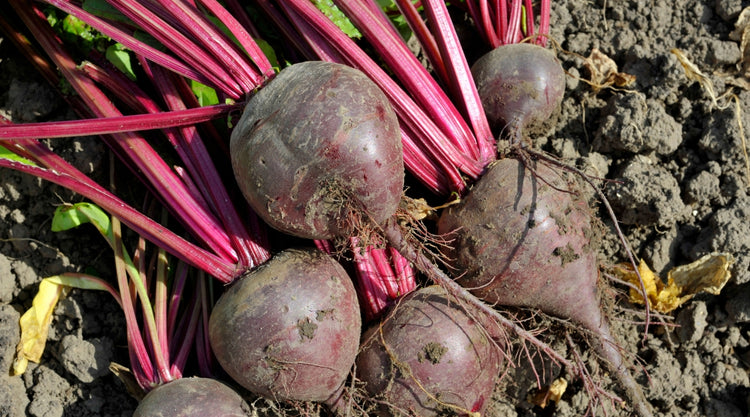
(317, 147)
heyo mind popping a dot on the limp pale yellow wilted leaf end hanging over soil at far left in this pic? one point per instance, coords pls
(35, 324)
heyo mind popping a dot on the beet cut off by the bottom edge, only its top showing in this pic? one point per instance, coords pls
(188, 397)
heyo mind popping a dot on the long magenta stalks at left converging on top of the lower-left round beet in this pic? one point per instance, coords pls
(202, 208)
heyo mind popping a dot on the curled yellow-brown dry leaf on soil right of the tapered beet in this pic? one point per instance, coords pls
(708, 274)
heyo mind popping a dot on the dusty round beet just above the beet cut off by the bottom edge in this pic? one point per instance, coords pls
(289, 330)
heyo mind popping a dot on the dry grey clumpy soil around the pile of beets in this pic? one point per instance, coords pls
(679, 190)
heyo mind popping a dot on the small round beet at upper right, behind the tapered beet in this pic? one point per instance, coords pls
(521, 85)
